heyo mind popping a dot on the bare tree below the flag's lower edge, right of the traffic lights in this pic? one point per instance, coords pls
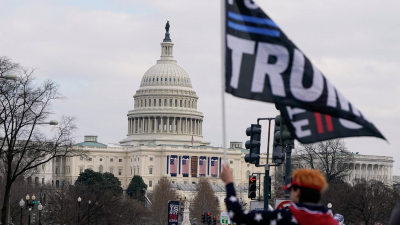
(330, 157)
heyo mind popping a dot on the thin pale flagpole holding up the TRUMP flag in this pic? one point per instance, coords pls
(223, 78)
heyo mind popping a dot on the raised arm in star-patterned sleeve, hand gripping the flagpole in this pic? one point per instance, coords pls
(235, 209)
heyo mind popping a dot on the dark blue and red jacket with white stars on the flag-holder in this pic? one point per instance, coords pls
(298, 213)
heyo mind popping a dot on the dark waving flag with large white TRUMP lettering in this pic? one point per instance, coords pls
(262, 63)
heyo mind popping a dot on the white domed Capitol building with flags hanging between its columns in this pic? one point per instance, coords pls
(165, 138)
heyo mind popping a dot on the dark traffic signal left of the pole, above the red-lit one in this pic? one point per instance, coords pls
(253, 144)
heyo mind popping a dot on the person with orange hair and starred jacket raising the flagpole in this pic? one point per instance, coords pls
(306, 189)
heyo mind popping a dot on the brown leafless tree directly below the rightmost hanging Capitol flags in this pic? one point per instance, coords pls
(205, 200)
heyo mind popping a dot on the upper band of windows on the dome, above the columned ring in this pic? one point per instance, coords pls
(171, 103)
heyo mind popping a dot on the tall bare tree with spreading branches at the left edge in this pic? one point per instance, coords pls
(24, 106)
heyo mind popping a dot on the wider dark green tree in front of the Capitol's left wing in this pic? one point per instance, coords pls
(96, 180)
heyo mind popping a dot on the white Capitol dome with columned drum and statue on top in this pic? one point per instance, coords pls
(165, 105)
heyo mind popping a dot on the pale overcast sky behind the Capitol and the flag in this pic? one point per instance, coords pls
(99, 50)
